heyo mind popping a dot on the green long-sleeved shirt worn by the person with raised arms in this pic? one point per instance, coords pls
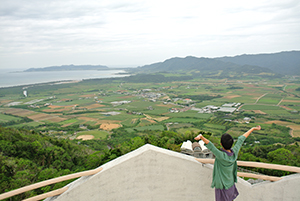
(225, 167)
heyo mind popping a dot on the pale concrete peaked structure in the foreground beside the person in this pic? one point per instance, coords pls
(153, 173)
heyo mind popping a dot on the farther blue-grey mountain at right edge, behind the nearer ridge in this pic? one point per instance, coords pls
(286, 63)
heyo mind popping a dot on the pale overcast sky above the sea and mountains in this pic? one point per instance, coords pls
(40, 33)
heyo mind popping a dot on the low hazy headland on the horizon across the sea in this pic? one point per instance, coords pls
(68, 68)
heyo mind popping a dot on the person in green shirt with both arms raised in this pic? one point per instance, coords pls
(225, 166)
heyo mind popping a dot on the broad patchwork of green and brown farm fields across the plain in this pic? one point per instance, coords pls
(157, 107)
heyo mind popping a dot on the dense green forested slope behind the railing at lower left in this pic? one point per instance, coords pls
(27, 157)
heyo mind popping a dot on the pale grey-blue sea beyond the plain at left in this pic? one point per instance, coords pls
(9, 78)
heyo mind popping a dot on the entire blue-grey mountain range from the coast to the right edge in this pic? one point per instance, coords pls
(282, 63)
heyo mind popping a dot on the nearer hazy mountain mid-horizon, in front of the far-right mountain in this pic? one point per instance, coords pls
(203, 66)
